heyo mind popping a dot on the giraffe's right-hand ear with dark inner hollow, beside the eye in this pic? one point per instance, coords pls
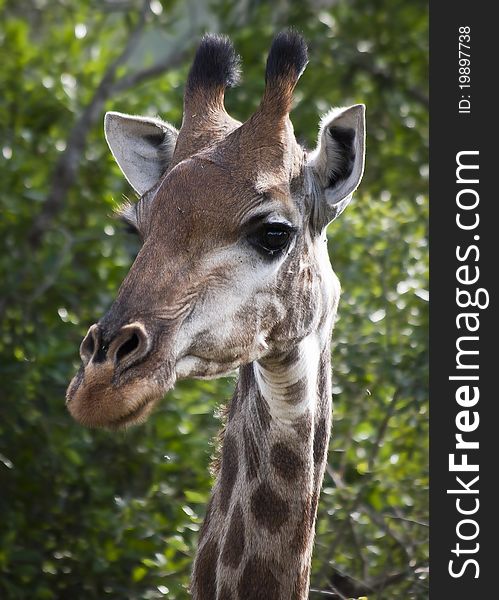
(338, 162)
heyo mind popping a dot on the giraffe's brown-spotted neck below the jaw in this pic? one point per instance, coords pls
(256, 541)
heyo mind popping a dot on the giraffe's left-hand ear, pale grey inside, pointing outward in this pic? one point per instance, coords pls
(142, 147)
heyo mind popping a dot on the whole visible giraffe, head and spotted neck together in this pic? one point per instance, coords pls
(233, 273)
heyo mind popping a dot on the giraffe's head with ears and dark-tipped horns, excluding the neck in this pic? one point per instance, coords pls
(233, 265)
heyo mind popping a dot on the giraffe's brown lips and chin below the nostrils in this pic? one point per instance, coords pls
(97, 404)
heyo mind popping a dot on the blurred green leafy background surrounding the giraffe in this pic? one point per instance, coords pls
(93, 515)
